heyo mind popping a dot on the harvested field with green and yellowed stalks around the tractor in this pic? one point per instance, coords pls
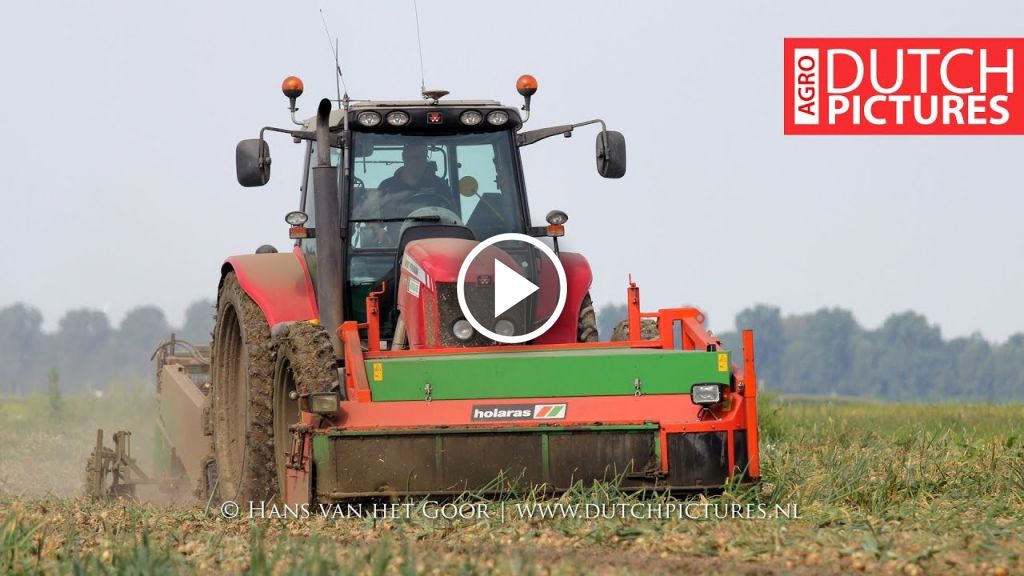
(901, 489)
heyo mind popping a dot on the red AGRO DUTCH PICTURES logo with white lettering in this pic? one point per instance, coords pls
(904, 87)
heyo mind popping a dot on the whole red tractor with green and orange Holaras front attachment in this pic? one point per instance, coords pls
(347, 369)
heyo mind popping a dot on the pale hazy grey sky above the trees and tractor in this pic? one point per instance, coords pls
(120, 122)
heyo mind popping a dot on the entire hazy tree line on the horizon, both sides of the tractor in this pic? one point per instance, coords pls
(822, 353)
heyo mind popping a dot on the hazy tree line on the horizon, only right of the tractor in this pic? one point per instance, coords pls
(906, 359)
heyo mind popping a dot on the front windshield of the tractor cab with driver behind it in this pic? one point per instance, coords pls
(400, 181)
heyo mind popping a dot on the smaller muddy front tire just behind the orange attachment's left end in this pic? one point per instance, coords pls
(306, 361)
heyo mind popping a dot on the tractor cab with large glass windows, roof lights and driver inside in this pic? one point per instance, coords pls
(418, 170)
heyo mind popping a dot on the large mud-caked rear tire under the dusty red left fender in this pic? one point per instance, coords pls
(242, 374)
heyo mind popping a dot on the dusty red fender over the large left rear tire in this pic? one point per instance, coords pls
(279, 284)
